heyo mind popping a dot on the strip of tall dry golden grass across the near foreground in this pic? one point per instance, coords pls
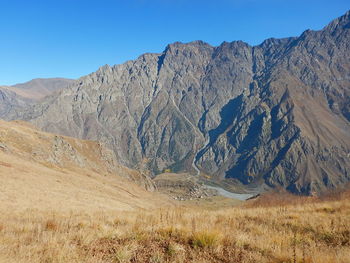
(311, 232)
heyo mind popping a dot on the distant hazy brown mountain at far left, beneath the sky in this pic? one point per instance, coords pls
(18, 97)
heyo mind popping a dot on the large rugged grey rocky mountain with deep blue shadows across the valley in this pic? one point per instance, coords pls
(275, 114)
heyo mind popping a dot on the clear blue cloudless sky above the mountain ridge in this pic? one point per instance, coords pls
(71, 38)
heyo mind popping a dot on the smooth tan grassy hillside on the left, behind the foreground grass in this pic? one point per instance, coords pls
(45, 171)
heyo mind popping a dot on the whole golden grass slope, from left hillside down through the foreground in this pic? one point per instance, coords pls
(53, 209)
